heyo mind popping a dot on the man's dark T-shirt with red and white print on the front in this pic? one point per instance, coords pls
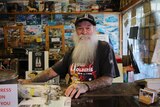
(104, 64)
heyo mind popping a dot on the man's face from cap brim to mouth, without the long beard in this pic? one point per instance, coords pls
(85, 28)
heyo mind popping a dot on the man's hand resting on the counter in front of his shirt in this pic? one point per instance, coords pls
(76, 90)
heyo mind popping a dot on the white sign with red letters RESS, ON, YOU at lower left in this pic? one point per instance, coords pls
(8, 95)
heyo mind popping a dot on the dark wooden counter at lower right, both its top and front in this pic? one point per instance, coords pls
(117, 95)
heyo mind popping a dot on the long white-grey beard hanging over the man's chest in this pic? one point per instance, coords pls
(85, 50)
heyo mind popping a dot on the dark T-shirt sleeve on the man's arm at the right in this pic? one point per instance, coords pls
(108, 64)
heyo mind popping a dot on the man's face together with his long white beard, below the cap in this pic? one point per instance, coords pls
(85, 41)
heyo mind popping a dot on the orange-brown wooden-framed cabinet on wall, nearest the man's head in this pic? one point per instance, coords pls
(55, 41)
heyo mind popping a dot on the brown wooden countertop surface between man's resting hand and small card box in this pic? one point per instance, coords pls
(116, 89)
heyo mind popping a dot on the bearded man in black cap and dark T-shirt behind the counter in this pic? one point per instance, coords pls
(91, 64)
